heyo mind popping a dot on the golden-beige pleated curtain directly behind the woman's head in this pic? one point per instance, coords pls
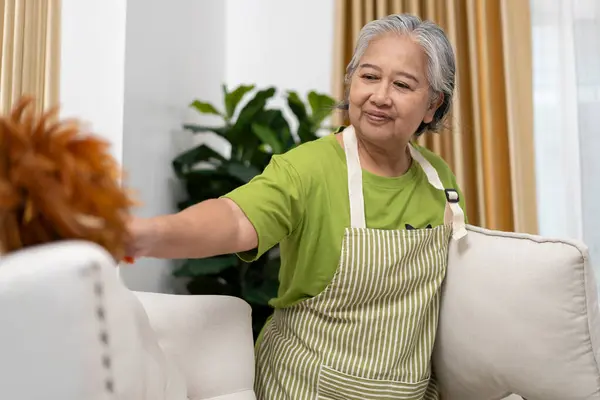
(488, 141)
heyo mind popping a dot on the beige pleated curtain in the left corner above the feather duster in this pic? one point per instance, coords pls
(29, 52)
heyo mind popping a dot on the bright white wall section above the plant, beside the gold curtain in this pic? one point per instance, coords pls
(285, 43)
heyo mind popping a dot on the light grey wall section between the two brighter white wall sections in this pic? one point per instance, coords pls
(174, 52)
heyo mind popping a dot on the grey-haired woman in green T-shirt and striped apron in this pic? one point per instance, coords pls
(363, 218)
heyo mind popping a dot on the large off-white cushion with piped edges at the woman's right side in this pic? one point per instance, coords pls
(519, 314)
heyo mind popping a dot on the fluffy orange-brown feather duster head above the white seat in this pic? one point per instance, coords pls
(58, 182)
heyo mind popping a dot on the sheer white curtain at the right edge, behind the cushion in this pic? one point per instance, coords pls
(566, 65)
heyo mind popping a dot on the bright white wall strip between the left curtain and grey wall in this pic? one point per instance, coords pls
(92, 65)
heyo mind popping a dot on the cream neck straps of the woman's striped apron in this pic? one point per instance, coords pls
(453, 215)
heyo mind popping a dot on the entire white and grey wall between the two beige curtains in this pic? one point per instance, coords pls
(135, 80)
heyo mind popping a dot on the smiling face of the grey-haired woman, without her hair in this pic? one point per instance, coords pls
(389, 92)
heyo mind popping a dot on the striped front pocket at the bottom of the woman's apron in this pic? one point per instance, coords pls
(335, 385)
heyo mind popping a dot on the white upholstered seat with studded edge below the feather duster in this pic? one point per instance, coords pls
(70, 330)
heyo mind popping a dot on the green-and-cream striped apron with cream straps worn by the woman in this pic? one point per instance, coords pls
(370, 333)
